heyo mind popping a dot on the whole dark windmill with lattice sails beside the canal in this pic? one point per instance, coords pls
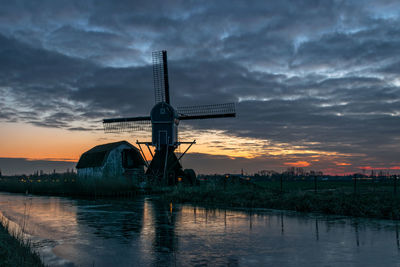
(165, 166)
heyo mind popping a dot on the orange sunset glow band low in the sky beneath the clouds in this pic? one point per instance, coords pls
(38, 143)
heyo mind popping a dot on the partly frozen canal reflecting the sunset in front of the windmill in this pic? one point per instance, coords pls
(148, 232)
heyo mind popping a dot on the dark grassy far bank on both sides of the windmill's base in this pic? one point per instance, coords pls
(368, 198)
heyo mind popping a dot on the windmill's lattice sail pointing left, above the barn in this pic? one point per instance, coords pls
(127, 124)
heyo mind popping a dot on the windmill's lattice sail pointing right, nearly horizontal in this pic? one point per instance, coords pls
(207, 111)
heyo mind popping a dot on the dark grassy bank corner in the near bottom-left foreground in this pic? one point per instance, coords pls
(14, 251)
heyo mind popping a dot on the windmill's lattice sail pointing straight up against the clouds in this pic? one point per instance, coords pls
(160, 76)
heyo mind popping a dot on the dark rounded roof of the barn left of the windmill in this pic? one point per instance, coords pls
(96, 156)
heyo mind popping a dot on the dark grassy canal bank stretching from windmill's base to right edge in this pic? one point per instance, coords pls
(376, 204)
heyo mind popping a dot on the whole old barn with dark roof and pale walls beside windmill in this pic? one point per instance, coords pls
(111, 160)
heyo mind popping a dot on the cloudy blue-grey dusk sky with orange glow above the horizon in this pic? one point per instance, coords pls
(316, 83)
